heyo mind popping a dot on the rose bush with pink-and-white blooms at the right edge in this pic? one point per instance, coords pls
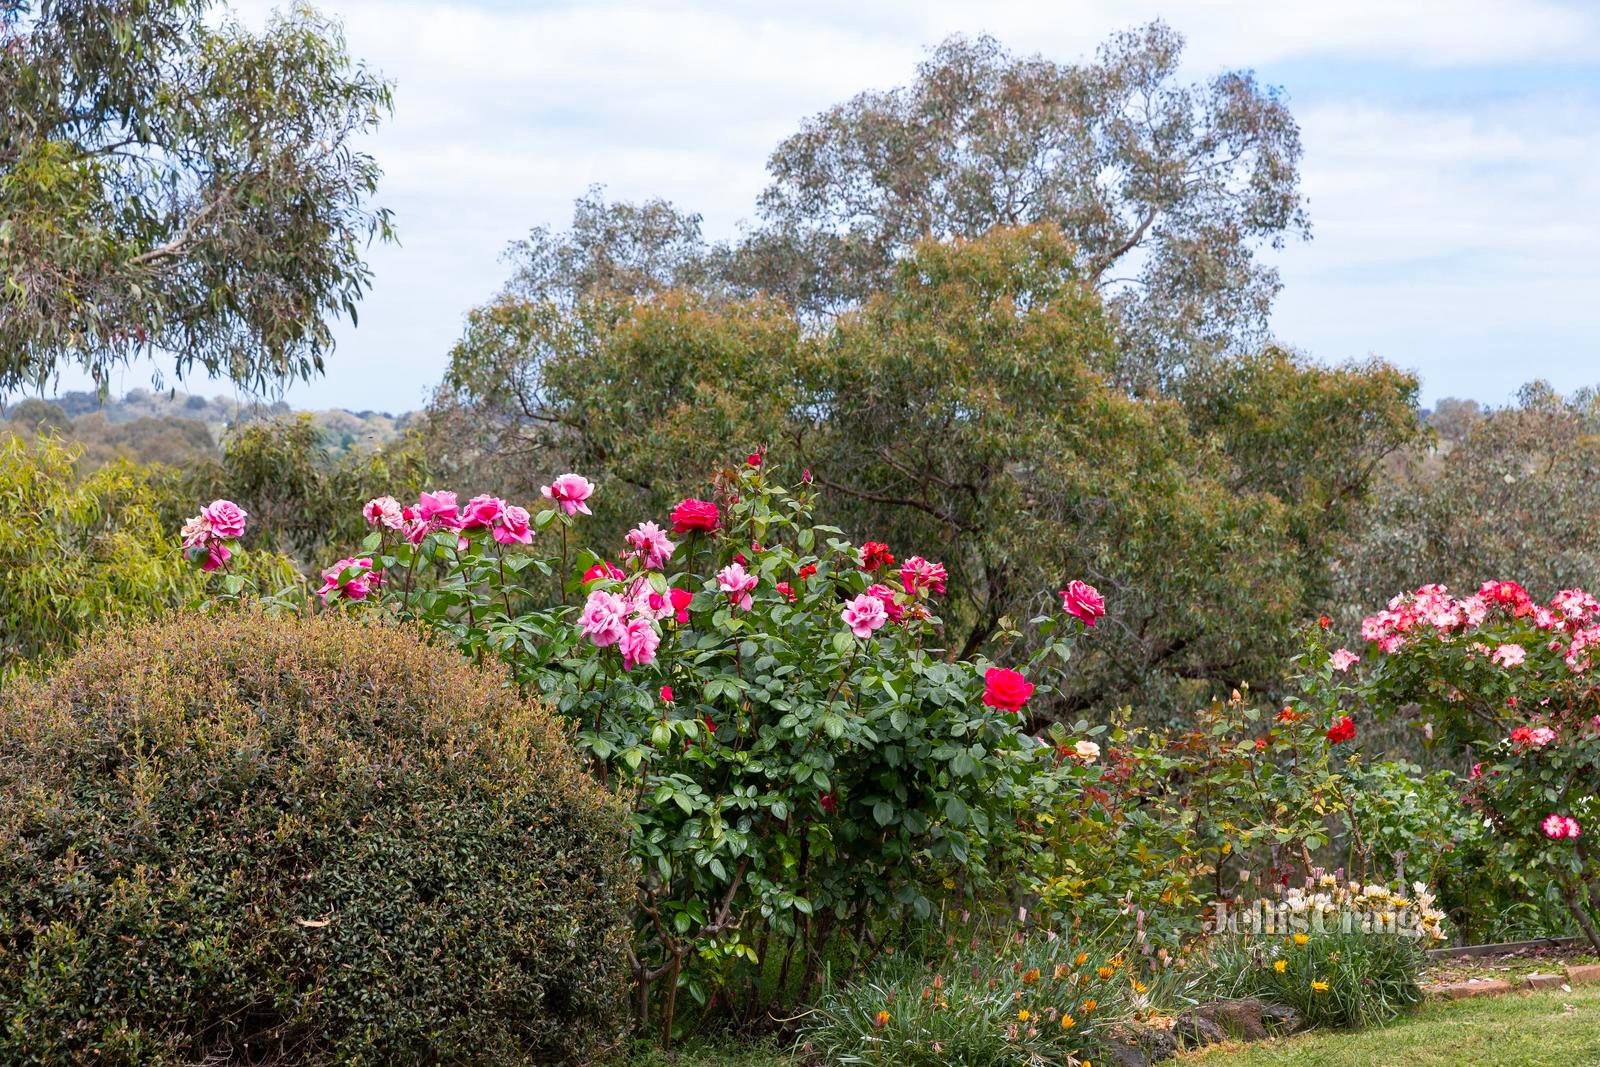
(1513, 682)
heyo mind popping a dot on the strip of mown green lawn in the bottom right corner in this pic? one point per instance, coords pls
(1550, 1029)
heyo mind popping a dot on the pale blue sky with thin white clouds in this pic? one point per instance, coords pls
(1452, 156)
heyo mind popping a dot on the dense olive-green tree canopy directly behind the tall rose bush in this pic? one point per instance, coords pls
(969, 407)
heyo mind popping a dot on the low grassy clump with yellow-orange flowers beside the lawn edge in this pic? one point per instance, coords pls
(1334, 978)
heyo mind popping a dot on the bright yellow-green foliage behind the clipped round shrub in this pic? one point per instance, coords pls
(81, 554)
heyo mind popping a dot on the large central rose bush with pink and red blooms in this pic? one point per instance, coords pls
(804, 762)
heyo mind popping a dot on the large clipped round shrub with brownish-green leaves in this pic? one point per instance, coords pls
(258, 839)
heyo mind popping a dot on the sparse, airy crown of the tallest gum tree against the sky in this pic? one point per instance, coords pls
(1164, 190)
